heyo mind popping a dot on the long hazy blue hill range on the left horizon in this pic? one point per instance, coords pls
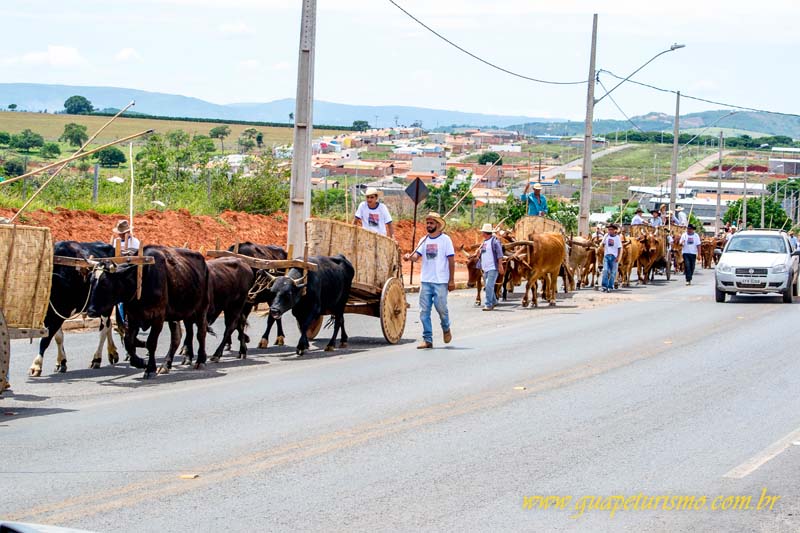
(39, 97)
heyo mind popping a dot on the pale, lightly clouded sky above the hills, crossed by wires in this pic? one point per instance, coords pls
(369, 53)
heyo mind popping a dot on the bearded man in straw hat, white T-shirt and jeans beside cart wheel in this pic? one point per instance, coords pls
(437, 278)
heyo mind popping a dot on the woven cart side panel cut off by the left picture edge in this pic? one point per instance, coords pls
(26, 271)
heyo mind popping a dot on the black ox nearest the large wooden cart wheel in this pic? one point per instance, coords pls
(313, 294)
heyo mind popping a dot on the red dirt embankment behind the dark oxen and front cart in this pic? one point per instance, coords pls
(177, 228)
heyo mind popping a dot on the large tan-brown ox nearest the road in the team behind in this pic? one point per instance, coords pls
(542, 259)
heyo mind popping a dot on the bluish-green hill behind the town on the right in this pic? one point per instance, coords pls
(763, 123)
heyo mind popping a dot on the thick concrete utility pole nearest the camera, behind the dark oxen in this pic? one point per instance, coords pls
(300, 190)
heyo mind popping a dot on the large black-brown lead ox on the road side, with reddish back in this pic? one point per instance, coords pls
(176, 288)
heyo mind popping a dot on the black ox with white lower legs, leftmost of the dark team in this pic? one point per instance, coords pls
(69, 293)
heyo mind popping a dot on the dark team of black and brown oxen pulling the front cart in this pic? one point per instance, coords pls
(181, 287)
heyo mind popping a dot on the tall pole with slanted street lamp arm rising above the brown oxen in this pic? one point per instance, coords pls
(586, 182)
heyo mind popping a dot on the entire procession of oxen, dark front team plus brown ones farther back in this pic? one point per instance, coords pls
(183, 288)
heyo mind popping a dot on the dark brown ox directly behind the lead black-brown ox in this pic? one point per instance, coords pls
(231, 280)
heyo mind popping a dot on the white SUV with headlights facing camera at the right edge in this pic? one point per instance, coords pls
(757, 262)
